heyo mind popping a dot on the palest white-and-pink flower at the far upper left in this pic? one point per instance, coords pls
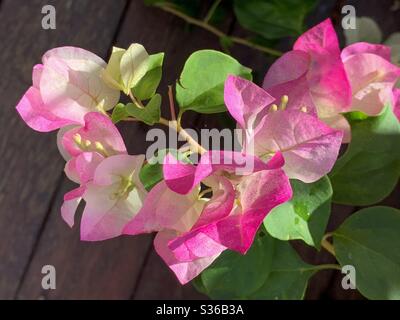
(65, 87)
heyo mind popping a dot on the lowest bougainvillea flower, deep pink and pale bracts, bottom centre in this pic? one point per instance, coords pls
(197, 230)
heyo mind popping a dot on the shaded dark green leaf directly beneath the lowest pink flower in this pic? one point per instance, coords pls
(271, 269)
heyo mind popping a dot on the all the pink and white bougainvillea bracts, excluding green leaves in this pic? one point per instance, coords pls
(293, 129)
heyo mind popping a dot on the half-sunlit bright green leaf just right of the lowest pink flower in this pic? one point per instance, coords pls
(305, 216)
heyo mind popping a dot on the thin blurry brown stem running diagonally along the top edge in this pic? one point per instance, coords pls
(217, 32)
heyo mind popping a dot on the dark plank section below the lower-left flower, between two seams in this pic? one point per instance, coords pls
(85, 270)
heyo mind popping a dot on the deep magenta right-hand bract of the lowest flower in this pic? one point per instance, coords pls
(256, 194)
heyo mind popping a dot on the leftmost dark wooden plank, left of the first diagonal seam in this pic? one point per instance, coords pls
(30, 166)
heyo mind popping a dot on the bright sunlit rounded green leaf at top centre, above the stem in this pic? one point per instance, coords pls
(201, 85)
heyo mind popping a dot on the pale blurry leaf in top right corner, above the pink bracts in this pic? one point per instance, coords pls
(367, 30)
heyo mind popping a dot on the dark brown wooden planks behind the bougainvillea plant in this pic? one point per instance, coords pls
(32, 182)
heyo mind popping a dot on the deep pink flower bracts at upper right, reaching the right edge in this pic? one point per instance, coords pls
(316, 73)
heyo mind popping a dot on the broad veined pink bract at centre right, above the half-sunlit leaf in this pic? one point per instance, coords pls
(309, 146)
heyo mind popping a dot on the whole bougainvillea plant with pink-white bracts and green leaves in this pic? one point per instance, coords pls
(223, 216)
